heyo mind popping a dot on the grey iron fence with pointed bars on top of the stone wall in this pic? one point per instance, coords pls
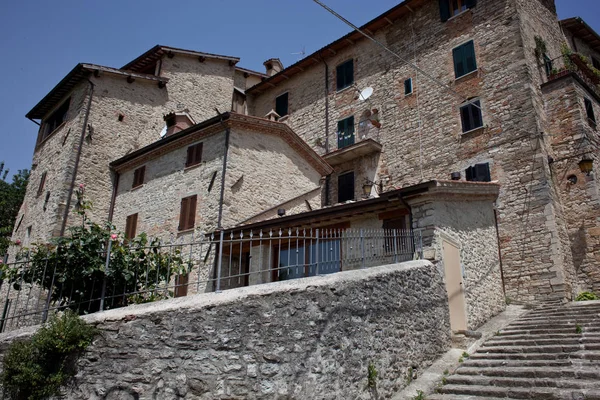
(33, 286)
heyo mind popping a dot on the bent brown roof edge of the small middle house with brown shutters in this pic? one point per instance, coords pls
(216, 125)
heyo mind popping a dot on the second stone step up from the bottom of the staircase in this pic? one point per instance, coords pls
(500, 381)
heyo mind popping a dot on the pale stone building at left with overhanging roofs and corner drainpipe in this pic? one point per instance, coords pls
(97, 114)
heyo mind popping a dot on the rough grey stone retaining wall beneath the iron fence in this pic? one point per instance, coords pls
(310, 338)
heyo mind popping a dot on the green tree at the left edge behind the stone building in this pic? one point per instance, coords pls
(11, 197)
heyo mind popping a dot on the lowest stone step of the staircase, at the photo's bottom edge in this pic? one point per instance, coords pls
(520, 393)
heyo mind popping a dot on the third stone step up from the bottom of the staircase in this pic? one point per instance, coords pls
(584, 373)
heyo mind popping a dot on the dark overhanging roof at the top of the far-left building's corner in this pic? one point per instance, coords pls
(81, 71)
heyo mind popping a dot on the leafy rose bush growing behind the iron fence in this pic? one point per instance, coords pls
(73, 268)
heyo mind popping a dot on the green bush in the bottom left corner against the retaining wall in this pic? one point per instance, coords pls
(39, 367)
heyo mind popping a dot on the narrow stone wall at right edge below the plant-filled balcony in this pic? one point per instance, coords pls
(572, 136)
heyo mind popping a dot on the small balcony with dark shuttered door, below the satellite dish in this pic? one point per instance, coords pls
(350, 145)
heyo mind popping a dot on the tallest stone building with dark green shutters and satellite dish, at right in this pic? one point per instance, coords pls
(465, 95)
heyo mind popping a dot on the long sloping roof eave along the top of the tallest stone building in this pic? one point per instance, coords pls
(385, 19)
